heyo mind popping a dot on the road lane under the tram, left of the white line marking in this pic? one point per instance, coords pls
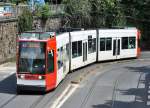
(10, 99)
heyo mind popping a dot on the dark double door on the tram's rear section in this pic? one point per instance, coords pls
(116, 47)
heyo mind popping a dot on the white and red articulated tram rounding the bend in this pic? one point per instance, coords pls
(44, 58)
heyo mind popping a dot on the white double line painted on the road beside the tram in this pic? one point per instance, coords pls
(64, 96)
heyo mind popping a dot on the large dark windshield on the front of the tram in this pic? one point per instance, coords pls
(32, 57)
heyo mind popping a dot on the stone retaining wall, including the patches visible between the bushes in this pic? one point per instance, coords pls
(8, 31)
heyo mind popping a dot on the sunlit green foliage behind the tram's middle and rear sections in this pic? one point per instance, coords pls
(94, 13)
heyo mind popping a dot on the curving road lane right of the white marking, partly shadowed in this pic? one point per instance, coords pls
(125, 84)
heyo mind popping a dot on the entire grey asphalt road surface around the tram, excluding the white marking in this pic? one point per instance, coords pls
(110, 85)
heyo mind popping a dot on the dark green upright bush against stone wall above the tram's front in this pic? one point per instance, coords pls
(25, 21)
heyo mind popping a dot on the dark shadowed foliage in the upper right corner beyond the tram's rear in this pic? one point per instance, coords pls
(138, 14)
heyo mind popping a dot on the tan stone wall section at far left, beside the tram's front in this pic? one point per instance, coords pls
(8, 31)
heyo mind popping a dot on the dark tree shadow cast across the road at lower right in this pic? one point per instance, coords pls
(141, 93)
